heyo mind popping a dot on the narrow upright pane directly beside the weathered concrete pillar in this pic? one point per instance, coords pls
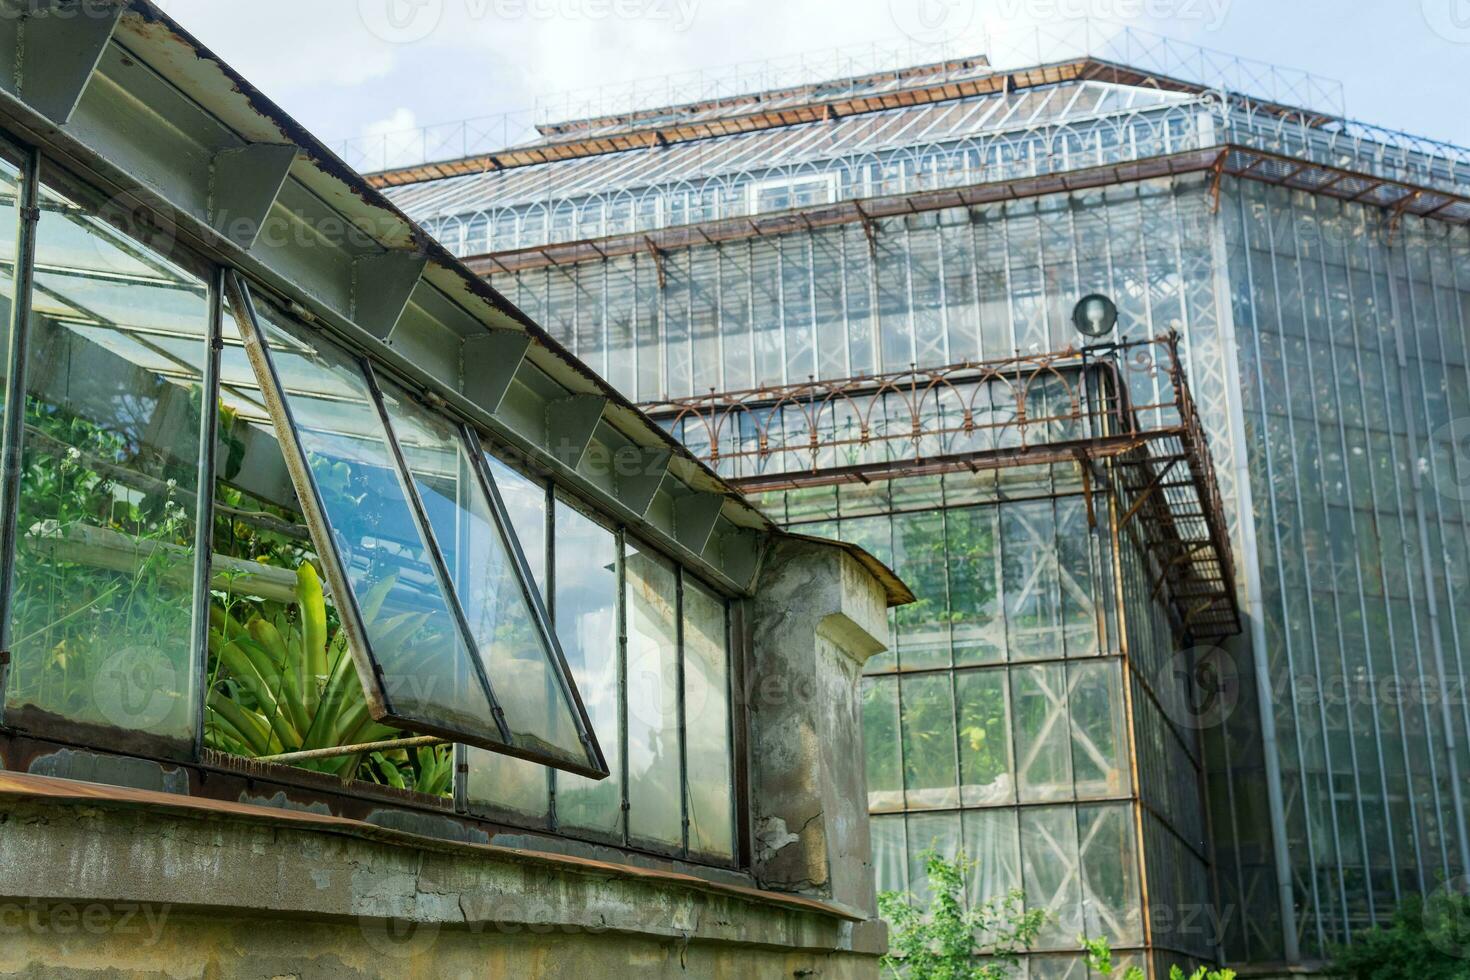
(706, 706)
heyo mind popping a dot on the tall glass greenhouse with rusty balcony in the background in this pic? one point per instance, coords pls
(1186, 665)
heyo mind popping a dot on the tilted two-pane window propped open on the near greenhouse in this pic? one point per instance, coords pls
(445, 624)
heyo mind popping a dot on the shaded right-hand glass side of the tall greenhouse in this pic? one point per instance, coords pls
(1353, 346)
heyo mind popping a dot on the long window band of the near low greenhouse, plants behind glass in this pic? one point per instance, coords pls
(182, 590)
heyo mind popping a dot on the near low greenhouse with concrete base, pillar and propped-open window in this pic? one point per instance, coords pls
(349, 624)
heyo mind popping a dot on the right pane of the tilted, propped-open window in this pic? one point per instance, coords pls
(518, 659)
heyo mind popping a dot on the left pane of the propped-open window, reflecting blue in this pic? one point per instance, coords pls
(427, 668)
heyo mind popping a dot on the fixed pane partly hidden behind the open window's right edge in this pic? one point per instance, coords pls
(502, 782)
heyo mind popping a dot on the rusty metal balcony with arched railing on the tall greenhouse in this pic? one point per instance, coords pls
(1122, 412)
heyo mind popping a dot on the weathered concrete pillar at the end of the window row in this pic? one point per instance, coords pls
(809, 790)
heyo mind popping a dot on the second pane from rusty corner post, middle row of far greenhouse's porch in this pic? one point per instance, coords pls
(1043, 757)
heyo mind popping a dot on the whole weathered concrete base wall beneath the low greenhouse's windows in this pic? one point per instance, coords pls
(164, 887)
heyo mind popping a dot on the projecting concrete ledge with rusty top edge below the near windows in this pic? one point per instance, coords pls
(212, 863)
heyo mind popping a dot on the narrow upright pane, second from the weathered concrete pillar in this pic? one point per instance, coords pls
(653, 700)
